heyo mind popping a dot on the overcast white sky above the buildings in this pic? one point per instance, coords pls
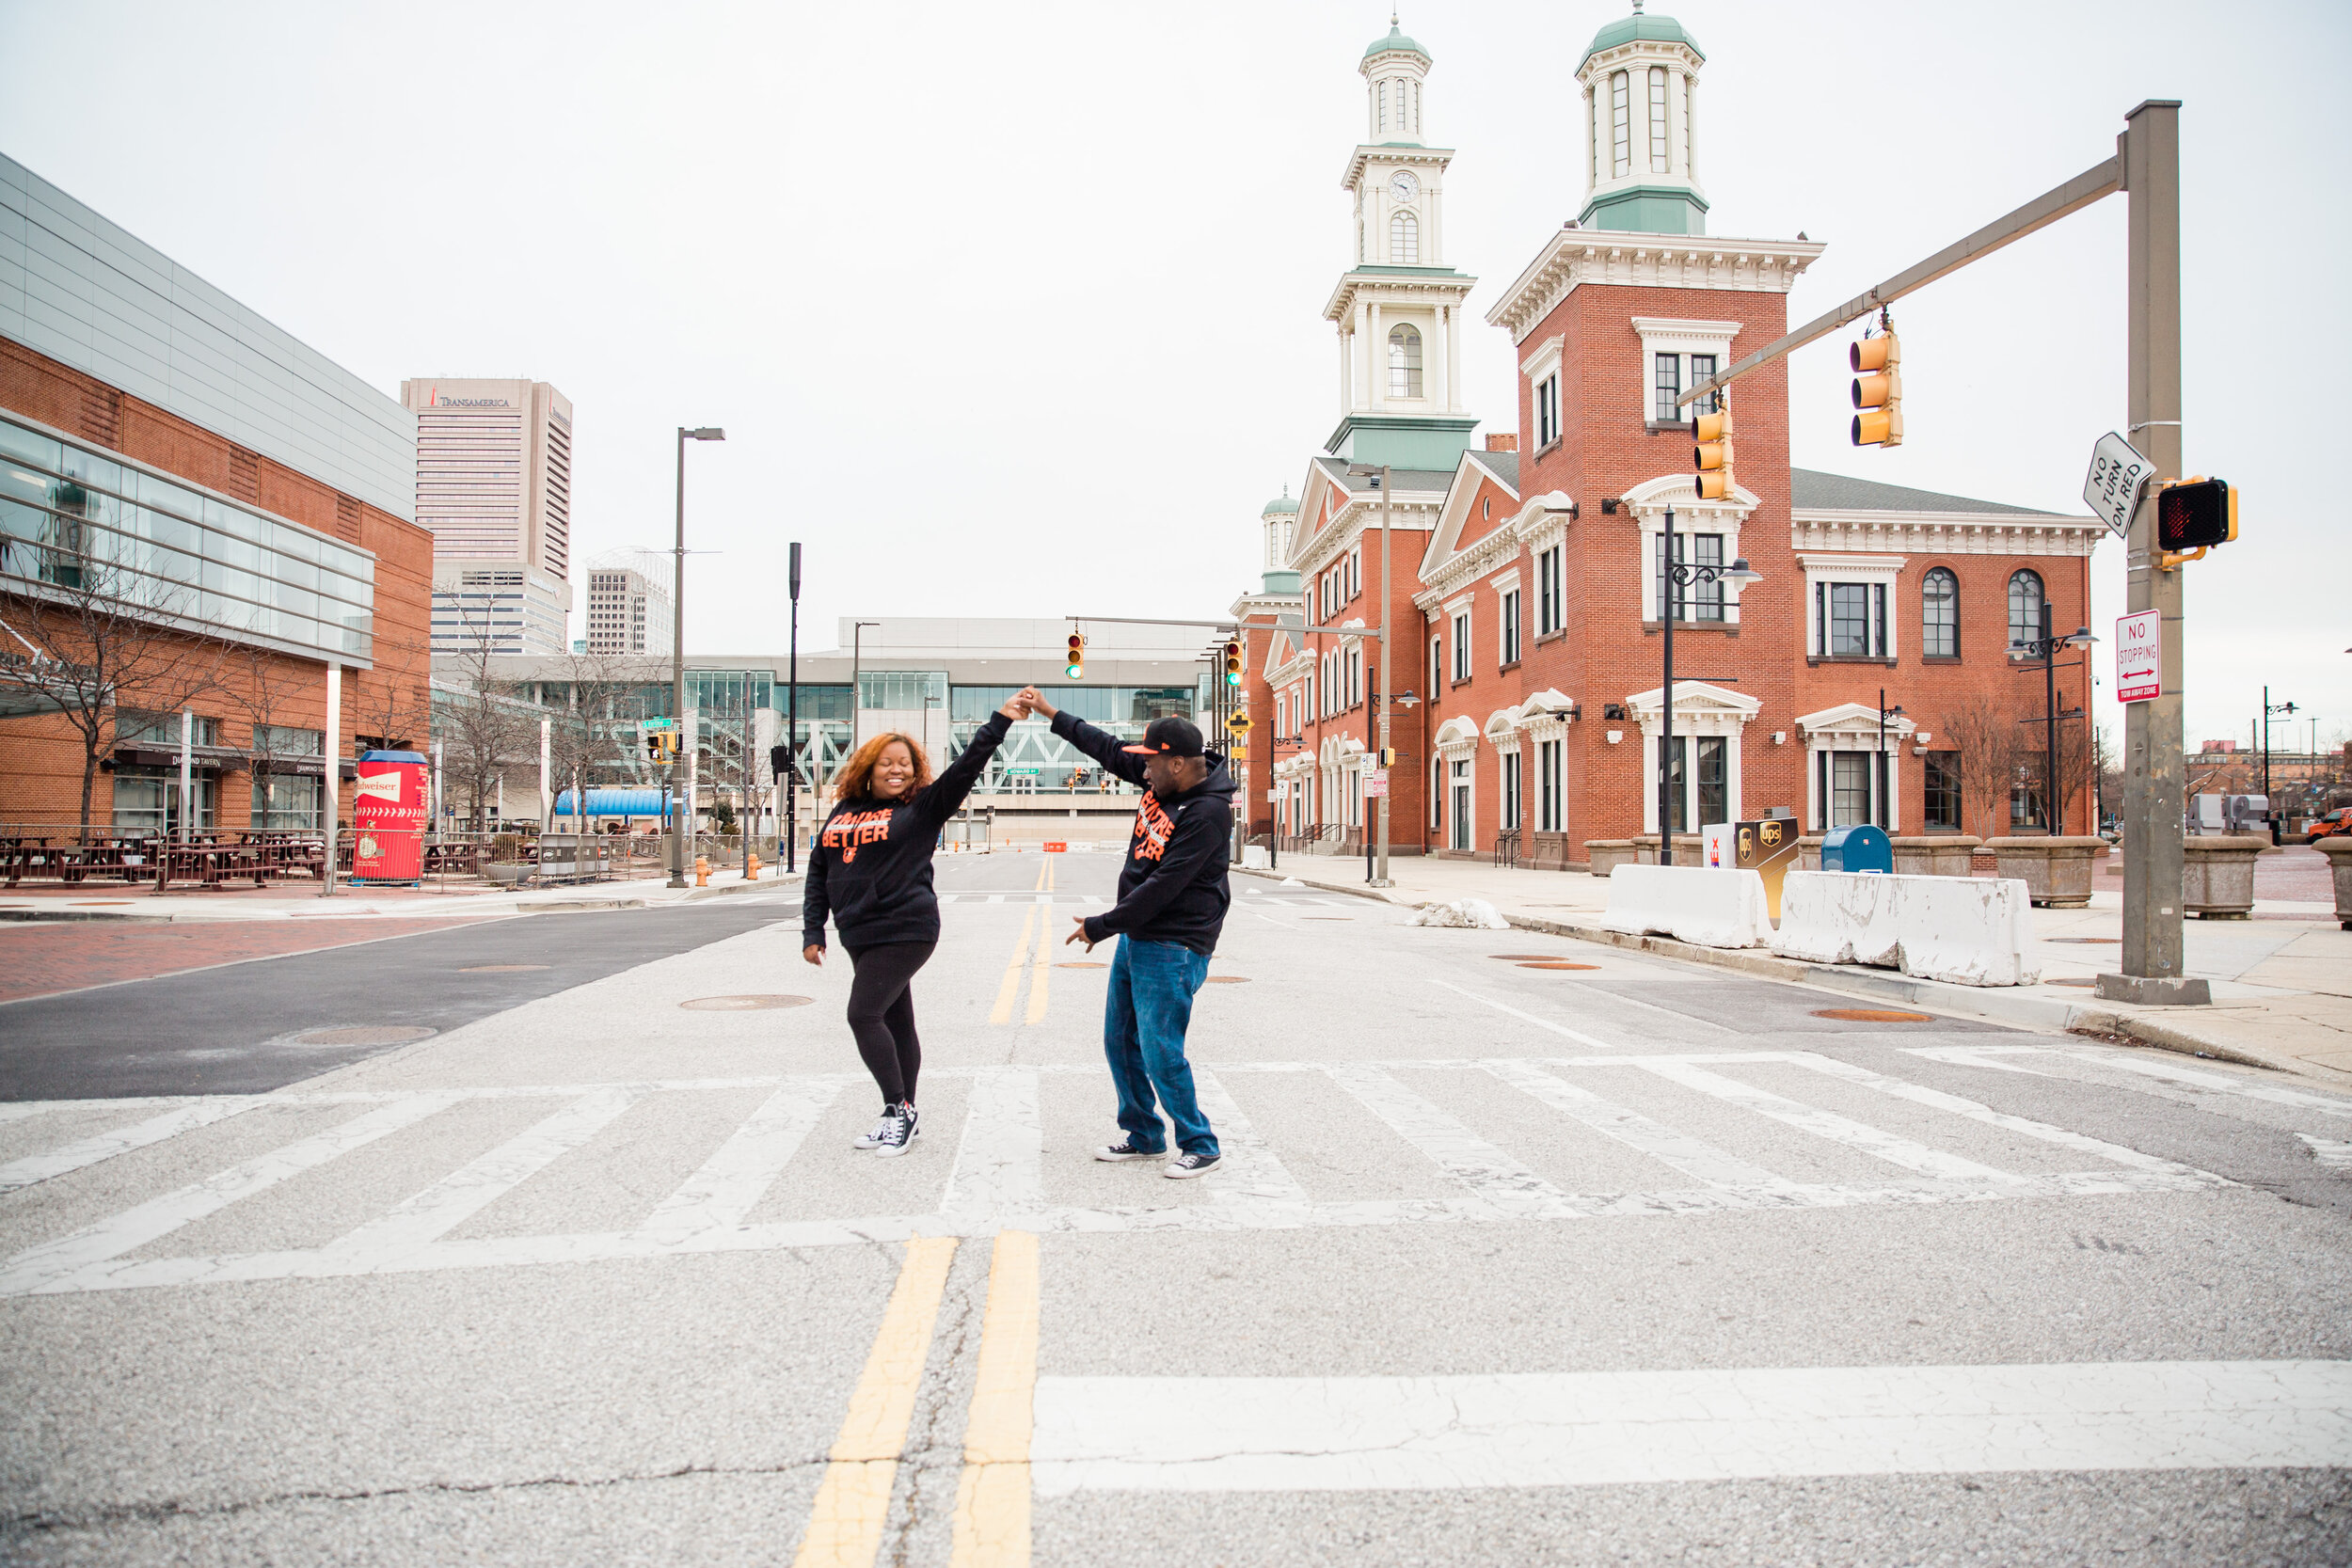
(1015, 309)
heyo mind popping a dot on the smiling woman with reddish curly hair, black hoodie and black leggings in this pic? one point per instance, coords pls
(871, 871)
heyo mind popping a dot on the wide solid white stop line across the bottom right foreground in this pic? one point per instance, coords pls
(1509, 1430)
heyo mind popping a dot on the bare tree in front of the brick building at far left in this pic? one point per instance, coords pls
(105, 636)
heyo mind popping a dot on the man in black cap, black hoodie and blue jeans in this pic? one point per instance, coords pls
(1172, 904)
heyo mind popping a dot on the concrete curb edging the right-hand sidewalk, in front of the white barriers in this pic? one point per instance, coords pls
(1885, 986)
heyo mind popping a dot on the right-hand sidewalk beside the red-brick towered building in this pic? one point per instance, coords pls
(2283, 981)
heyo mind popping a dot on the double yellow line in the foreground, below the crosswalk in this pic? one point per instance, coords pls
(994, 1496)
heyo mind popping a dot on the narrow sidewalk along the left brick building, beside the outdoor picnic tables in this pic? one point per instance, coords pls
(105, 902)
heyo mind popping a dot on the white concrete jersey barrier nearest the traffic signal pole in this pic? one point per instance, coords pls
(1960, 930)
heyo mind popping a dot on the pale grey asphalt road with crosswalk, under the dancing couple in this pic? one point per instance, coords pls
(1504, 1266)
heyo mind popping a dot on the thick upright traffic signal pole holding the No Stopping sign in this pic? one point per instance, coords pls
(2153, 730)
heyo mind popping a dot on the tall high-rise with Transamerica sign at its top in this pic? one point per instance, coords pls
(495, 485)
